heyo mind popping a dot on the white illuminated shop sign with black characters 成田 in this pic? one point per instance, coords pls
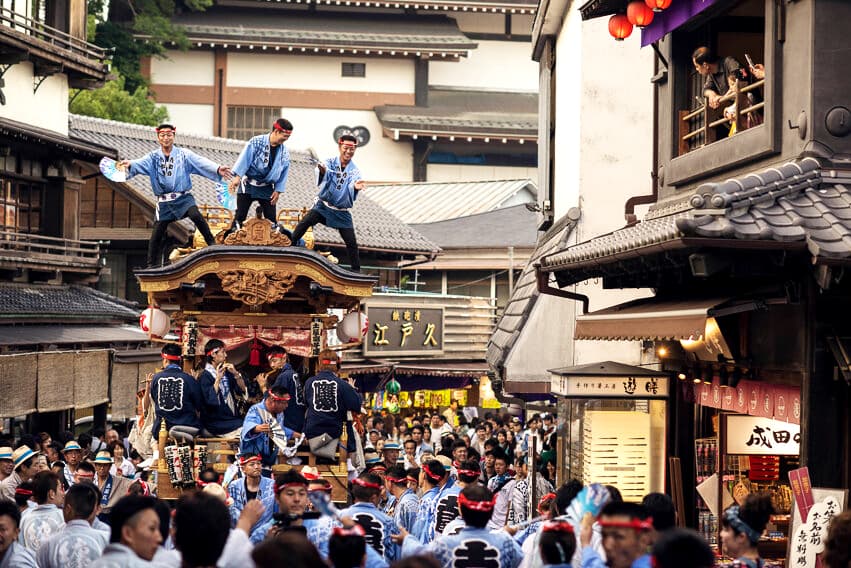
(759, 436)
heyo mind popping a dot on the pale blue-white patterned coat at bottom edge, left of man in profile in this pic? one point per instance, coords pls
(76, 546)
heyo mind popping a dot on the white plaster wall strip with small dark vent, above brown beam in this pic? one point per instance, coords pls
(322, 73)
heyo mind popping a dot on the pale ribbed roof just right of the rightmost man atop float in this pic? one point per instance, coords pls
(427, 202)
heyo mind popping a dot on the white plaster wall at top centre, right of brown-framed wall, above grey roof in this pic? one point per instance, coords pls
(503, 65)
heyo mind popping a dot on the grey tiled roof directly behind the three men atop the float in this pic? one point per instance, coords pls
(376, 228)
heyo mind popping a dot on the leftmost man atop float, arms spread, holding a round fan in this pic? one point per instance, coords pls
(169, 170)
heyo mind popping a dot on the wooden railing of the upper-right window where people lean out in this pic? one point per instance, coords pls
(697, 127)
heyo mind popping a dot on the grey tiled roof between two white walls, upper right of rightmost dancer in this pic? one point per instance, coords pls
(465, 112)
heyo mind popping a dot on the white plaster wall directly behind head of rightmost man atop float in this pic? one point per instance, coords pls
(381, 160)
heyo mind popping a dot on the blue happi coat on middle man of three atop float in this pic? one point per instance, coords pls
(263, 178)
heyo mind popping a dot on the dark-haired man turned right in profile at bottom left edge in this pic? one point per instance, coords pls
(135, 534)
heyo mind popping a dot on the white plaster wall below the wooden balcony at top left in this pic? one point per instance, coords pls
(47, 108)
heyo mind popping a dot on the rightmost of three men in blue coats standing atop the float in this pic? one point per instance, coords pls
(339, 184)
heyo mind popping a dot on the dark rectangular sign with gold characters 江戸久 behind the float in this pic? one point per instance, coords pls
(404, 330)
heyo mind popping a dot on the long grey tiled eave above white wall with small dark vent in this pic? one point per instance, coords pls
(434, 34)
